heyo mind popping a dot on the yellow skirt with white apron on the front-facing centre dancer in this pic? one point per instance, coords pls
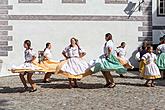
(74, 68)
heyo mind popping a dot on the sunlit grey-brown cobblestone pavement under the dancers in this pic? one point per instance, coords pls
(129, 94)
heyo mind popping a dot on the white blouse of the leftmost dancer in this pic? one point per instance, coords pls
(29, 54)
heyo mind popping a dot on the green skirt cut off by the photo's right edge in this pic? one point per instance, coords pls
(161, 61)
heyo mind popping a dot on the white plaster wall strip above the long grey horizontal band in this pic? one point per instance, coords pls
(55, 7)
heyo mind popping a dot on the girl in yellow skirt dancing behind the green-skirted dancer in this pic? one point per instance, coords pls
(121, 53)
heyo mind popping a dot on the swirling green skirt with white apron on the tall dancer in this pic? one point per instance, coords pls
(108, 64)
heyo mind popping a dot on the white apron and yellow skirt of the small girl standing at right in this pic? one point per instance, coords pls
(151, 71)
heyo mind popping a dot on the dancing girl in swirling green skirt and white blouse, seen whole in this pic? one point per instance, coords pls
(108, 62)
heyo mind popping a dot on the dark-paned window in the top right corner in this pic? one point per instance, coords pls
(161, 7)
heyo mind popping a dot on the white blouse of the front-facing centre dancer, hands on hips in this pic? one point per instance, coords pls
(73, 51)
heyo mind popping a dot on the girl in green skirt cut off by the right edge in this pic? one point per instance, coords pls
(161, 57)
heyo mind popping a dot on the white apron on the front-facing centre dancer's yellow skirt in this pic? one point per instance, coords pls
(75, 66)
